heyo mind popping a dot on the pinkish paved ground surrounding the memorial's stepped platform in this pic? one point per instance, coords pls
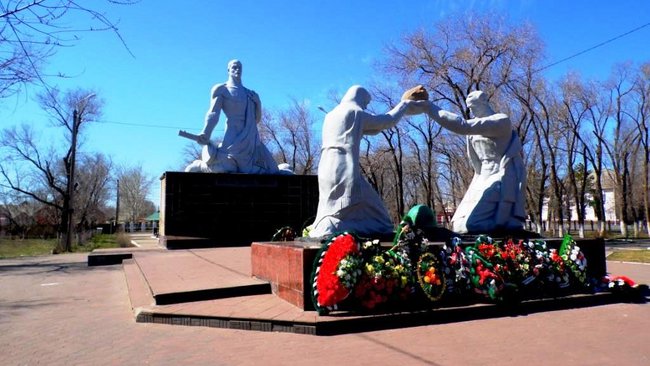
(58, 311)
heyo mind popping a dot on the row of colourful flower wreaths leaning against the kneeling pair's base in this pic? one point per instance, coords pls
(358, 274)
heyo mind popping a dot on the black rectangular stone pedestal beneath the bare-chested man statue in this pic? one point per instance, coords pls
(200, 210)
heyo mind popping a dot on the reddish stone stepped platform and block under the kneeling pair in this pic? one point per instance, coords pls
(215, 287)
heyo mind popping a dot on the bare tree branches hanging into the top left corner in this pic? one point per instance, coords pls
(31, 31)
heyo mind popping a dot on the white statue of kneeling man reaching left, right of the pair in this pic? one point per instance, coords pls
(495, 197)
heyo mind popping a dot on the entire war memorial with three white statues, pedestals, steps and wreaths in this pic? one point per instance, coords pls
(352, 268)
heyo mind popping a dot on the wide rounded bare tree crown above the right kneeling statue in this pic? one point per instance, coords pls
(479, 52)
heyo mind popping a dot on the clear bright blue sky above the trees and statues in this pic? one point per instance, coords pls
(290, 50)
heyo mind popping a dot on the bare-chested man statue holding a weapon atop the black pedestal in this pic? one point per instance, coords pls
(241, 150)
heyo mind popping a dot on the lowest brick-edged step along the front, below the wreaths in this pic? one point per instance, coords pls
(269, 313)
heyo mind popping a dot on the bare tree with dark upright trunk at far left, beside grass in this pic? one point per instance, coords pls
(41, 173)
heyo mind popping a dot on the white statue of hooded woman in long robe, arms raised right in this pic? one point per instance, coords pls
(346, 200)
